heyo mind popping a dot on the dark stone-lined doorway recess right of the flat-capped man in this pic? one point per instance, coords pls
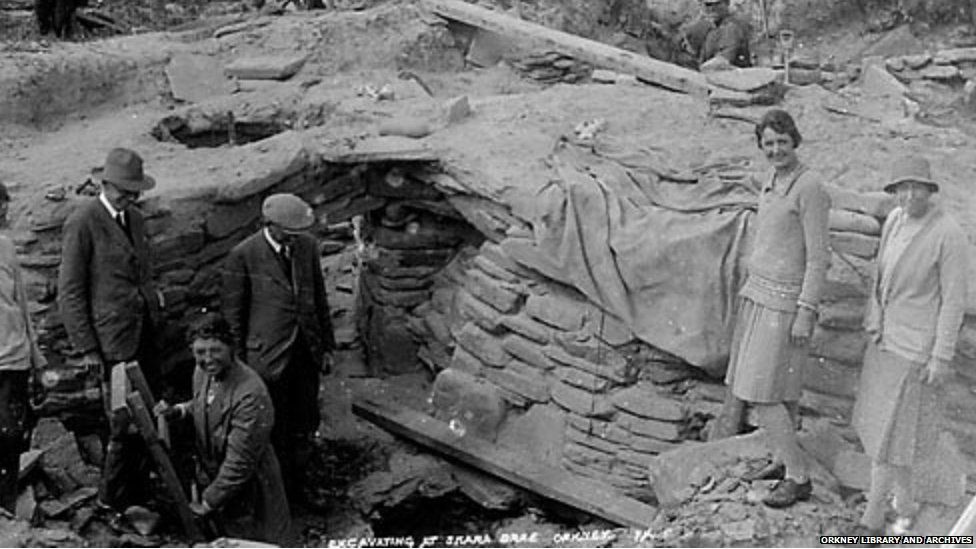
(412, 239)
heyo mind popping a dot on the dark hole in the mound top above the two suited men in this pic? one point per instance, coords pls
(224, 131)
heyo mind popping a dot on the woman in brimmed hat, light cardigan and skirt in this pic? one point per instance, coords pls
(915, 311)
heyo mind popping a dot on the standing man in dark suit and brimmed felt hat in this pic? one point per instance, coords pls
(108, 304)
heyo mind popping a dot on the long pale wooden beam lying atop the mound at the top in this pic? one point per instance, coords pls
(599, 54)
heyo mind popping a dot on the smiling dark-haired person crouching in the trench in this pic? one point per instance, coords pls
(232, 417)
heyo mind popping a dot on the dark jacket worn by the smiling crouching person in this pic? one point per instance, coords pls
(233, 435)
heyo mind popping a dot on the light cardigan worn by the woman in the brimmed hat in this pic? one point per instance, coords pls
(919, 314)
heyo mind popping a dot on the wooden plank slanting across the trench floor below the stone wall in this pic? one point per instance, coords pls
(592, 496)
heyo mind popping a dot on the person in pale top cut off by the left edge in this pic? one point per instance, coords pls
(19, 354)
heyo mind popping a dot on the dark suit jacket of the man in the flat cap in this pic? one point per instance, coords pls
(267, 312)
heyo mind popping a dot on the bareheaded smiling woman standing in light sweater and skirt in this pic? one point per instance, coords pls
(779, 301)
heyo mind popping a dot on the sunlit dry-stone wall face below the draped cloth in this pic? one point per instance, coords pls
(539, 344)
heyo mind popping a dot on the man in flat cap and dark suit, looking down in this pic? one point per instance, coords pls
(275, 302)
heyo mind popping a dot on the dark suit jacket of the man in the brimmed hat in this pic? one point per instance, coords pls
(104, 286)
